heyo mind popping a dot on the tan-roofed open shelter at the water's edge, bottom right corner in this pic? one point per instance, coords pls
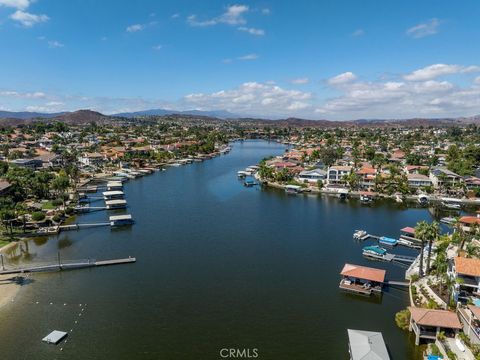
(427, 323)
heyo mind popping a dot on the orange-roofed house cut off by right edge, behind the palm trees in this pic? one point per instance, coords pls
(466, 273)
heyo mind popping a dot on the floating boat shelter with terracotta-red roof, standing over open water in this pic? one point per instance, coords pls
(361, 279)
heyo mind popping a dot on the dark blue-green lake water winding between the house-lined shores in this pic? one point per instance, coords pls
(218, 266)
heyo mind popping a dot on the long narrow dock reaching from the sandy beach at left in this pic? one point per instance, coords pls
(69, 265)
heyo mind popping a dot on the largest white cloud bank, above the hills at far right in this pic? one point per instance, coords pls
(417, 96)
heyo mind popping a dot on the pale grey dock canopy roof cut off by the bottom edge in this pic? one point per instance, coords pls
(367, 345)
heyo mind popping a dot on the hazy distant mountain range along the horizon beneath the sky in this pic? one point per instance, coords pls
(87, 116)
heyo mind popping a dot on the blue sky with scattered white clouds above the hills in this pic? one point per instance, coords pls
(316, 59)
